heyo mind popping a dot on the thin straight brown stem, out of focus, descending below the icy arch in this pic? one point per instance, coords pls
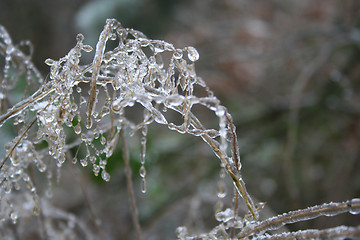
(130, 186)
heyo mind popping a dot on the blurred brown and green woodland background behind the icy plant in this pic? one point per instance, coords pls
(288, 72)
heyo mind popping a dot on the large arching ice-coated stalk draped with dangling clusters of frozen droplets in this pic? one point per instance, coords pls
(132, 72)
